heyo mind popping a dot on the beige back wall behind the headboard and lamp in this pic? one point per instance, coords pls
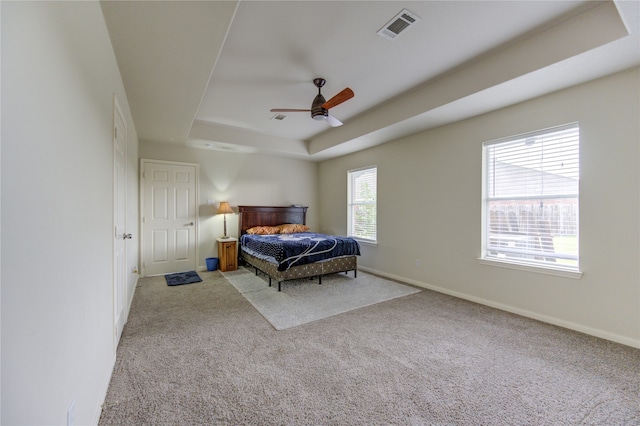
(242, 179)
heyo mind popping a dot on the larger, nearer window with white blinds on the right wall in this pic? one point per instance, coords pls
(530, 198)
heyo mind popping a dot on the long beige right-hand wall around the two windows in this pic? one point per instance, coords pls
(429, 201)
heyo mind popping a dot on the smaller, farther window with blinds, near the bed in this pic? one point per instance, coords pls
(361, 204)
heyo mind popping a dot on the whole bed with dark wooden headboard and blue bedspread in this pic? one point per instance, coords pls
(282, 266)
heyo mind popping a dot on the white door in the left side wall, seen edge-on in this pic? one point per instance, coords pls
(119, 219)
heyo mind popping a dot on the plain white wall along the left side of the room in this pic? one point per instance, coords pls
(59, 76)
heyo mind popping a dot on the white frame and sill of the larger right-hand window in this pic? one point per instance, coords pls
(527, 261)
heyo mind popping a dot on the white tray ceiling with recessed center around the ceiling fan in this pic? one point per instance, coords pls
(206, 73)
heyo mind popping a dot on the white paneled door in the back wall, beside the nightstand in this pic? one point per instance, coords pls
(169, 217)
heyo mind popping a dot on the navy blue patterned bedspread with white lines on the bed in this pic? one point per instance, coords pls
(287, 250)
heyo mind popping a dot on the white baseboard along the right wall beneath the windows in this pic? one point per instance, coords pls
(635, 343)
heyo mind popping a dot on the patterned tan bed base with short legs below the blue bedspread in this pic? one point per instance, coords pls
(317, 269)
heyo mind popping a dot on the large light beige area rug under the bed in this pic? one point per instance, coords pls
(302, 301)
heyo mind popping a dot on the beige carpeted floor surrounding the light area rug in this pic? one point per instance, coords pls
(201, 354)
